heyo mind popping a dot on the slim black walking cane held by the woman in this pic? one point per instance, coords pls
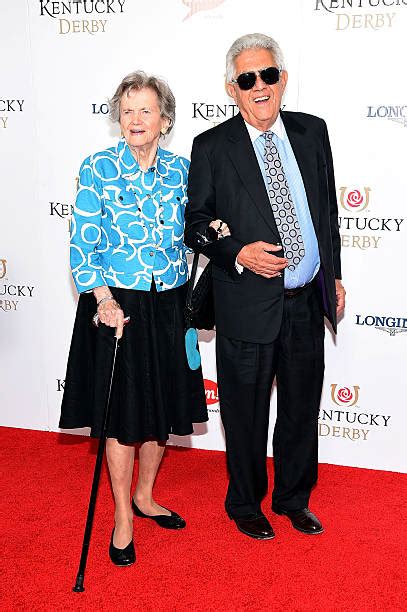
(79, 588)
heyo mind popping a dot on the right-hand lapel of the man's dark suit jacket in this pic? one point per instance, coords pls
(305, 155)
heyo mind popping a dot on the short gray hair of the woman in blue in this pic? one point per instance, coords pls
(135, 81)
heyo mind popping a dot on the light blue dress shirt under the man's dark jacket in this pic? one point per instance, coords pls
(306, 270)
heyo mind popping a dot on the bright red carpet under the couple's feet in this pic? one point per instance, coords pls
(357, 564)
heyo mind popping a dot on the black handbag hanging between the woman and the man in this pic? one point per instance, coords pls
(199, 308)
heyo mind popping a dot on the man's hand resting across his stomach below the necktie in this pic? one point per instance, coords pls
(258, 257)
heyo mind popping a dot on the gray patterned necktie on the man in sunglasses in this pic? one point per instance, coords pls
(282, 204)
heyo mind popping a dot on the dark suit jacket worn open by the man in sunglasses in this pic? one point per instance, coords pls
(225, 182)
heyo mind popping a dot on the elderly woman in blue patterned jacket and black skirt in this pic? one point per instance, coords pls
(128, 259)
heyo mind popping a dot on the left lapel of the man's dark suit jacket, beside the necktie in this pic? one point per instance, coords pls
(245, 161)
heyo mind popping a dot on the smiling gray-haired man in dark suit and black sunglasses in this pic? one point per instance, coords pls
(269, 175)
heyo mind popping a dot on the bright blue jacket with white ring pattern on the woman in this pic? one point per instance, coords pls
(128, 225)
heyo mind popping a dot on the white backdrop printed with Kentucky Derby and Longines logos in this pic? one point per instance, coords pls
(60, 63)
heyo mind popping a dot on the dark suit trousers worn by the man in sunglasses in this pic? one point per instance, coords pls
(246, 372)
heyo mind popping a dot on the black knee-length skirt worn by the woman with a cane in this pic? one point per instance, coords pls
(154, 392)
